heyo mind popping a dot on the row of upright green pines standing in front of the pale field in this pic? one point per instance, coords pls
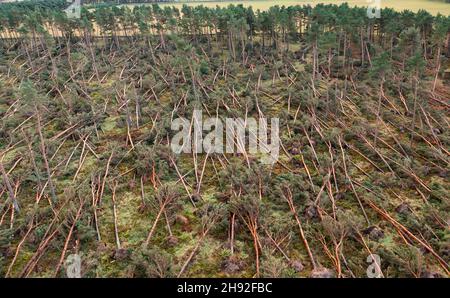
(277, 25)
